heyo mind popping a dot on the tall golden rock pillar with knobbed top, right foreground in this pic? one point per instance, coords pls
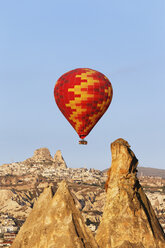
(128, 219)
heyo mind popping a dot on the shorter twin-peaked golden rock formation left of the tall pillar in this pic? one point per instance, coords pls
(55, 222)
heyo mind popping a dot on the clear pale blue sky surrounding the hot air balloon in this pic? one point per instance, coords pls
(41, 40)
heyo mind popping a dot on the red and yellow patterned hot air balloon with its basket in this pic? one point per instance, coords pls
(83, 95)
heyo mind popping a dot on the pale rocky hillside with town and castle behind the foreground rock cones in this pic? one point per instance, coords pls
(22, 183)
